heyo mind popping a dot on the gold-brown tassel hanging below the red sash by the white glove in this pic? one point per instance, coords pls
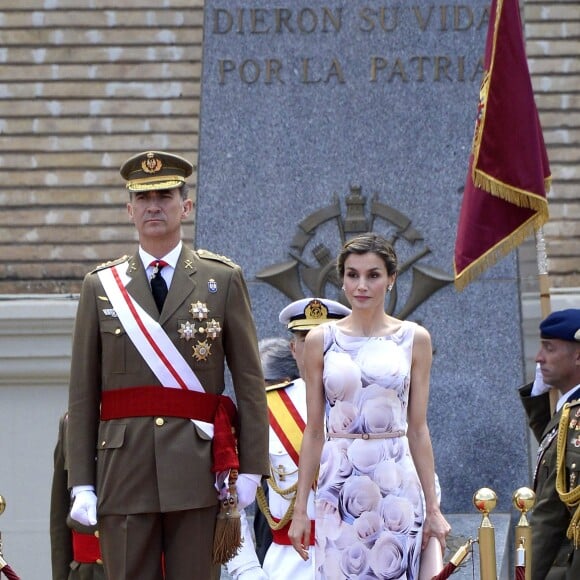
(227, 538)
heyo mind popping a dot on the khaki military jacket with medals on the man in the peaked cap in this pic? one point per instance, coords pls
(140, 465)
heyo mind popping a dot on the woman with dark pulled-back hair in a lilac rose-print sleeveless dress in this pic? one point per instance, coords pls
(367, 375)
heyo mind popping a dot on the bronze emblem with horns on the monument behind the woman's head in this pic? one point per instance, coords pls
(312, 264)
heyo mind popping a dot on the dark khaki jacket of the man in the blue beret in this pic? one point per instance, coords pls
(553, 554)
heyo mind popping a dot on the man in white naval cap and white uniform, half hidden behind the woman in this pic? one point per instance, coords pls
(287, 412)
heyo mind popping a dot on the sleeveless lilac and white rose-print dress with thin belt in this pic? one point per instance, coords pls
(369, 502)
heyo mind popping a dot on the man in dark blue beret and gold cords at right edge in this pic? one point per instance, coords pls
(555, 518)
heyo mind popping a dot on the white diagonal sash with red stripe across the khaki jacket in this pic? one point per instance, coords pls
(149, 338)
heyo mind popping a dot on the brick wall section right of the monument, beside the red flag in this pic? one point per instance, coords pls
(552, 30)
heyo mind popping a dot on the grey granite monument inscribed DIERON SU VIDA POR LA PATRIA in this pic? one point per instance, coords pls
(323, 120)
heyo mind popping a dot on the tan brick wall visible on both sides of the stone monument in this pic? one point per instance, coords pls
(86, 83)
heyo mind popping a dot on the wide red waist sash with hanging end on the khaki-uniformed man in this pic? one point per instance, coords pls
(149, 401)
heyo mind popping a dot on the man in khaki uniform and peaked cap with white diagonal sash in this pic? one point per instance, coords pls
(153, 334)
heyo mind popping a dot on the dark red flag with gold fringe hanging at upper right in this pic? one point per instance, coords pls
(504, 200)
